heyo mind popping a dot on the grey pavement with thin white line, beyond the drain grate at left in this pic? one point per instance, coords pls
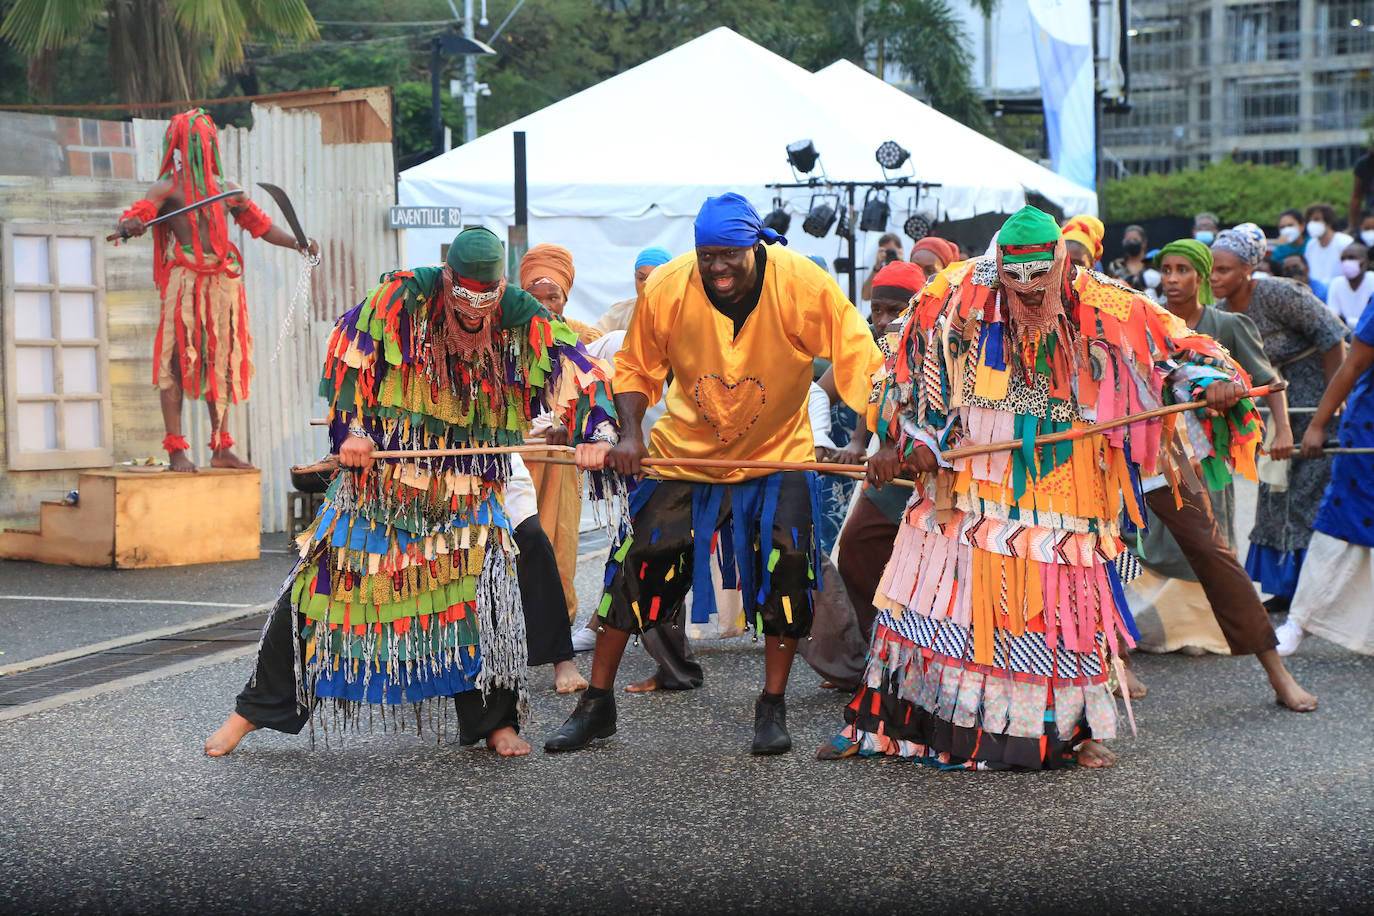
(120, 604)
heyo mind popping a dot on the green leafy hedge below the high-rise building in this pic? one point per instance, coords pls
(1235, 192)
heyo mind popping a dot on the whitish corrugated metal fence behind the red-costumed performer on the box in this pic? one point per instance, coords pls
(341, 194)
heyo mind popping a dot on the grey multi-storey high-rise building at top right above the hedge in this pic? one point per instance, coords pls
(1281, 82)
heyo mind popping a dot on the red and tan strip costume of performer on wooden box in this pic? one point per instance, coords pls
(204, 344)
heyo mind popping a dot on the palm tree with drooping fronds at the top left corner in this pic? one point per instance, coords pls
(160, 50)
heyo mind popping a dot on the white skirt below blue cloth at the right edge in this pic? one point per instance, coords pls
(1335, 595)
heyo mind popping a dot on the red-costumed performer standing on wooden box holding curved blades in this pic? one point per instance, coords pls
(204, 347)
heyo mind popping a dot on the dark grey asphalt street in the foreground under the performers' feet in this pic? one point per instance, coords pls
(1225, 803)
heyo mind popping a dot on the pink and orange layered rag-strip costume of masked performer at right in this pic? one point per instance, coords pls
(1002, 605)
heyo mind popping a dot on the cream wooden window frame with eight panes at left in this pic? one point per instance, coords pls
(60, 458)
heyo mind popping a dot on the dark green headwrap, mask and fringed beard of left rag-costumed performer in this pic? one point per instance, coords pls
(476, 259)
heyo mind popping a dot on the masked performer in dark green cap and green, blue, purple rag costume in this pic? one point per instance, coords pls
(406, 594)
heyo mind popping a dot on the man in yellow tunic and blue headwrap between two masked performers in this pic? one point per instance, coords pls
(737, 323)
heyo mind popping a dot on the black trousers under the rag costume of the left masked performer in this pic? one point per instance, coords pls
(269, 700)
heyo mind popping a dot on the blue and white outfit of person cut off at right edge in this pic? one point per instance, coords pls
(1333, 594)
